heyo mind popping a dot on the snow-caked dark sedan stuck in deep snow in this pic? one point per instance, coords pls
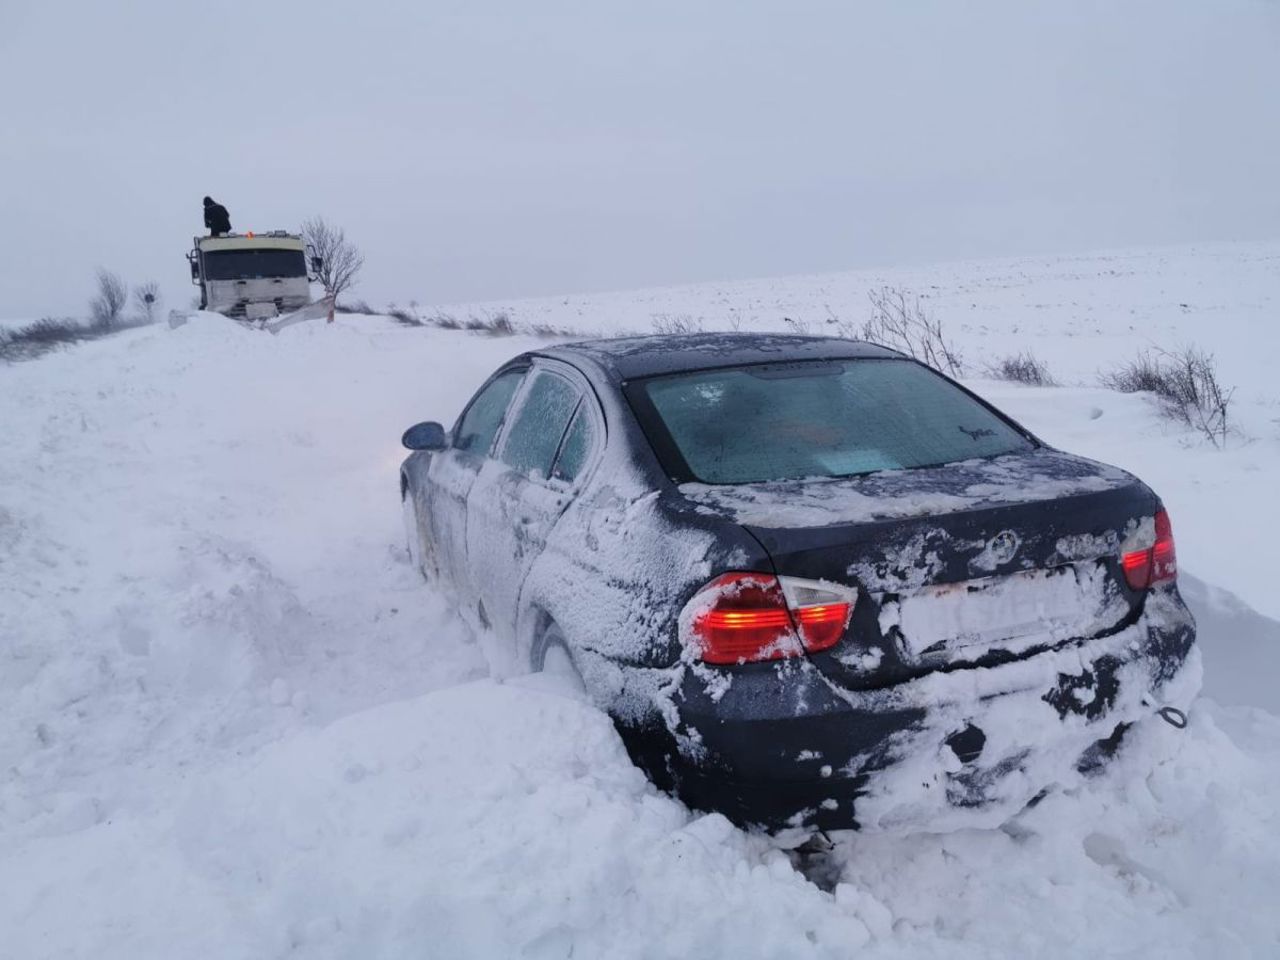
(815, 583)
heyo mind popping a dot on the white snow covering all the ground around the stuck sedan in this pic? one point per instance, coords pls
(236, 725)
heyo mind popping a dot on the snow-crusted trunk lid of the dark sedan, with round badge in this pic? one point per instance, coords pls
(957, 565)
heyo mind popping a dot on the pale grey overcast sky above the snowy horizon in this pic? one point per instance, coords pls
(533, 148)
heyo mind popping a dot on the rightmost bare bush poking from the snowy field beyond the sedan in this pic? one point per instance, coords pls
(1186, 386)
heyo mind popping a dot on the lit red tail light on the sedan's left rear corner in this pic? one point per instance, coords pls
(751, 618)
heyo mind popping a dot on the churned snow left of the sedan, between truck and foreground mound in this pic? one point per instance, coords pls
(177, 537)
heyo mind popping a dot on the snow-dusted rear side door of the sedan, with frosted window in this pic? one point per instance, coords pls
(516, 501)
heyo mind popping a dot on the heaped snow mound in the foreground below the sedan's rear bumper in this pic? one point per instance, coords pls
(505, 821)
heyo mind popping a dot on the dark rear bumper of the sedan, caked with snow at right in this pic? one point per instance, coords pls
(785, 747)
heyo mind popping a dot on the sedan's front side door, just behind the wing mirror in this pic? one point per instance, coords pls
(454, 472)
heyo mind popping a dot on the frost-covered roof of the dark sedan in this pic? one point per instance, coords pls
(632, 358)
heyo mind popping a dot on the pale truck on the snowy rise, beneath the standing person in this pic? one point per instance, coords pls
(254, 277)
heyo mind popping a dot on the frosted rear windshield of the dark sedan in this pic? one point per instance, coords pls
(751, 424)
